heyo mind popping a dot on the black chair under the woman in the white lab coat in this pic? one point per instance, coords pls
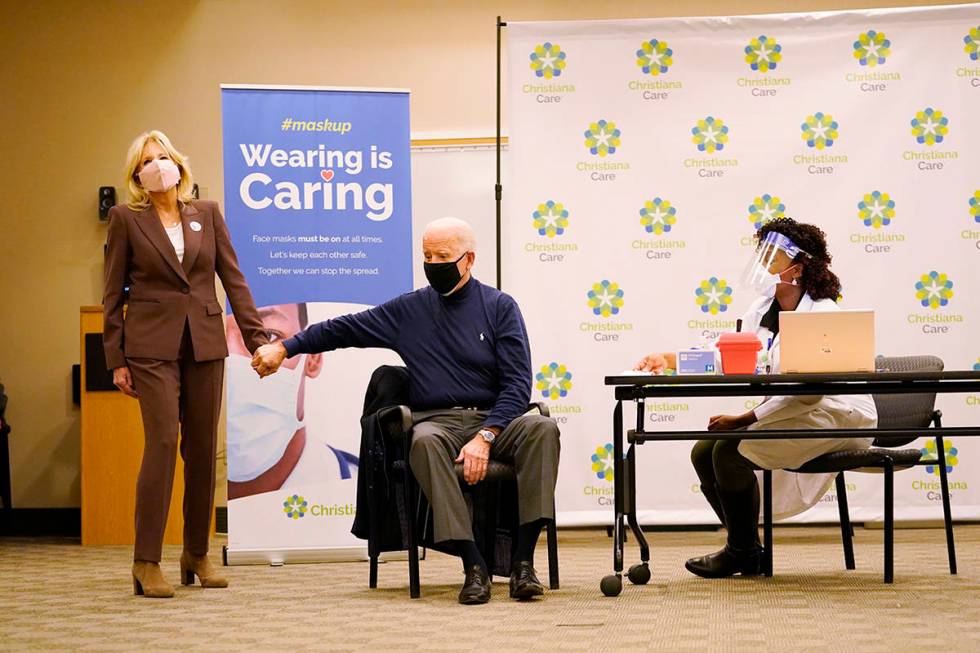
(894, 411)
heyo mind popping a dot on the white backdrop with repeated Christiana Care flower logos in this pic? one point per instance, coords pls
(644, 154)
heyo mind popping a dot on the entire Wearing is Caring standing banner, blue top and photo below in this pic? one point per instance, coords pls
(317, 186)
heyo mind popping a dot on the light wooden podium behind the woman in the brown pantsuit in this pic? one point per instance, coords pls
(112, 448)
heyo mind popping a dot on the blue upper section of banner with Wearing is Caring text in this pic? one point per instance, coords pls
(318, 192)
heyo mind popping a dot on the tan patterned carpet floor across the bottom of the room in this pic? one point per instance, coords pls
(57, 595)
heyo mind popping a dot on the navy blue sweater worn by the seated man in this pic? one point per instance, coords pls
(469, 349)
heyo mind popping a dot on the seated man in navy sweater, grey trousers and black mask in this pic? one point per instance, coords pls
(469, 368)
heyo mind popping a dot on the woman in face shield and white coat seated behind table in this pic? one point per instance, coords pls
(791, 272)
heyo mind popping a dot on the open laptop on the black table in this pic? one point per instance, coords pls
(827, 341)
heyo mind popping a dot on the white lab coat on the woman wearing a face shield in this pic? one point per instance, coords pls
(794, 493)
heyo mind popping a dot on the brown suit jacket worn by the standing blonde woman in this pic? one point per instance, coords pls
(165, 294)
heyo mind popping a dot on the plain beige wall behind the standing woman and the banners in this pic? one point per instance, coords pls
(80, 78)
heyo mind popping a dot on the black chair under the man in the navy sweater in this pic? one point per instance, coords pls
(493, 504)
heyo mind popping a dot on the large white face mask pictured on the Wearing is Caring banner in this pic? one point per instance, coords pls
(261, 416)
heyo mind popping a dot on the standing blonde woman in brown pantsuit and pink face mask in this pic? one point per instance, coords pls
(169, 350)
